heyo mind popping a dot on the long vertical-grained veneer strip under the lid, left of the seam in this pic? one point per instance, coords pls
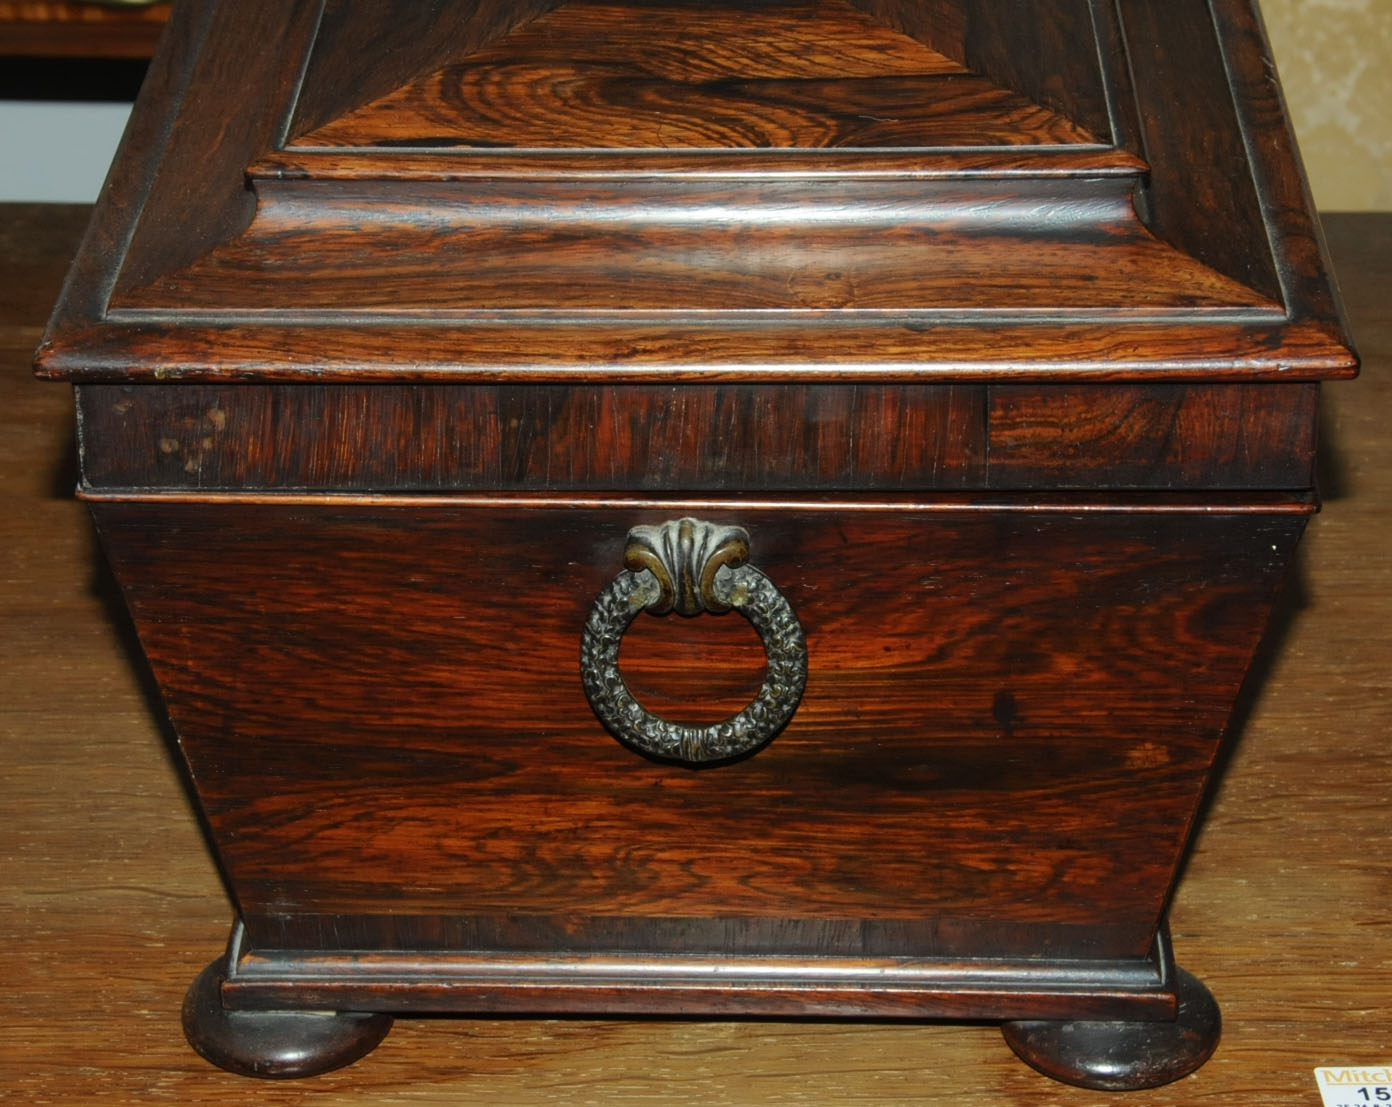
(574, 438)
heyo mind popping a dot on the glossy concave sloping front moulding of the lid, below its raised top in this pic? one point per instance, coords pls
(680, 247)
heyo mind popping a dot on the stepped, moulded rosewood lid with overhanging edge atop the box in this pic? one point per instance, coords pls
(681, 190)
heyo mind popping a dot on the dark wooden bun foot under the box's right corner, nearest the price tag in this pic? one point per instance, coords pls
(1124, 1056)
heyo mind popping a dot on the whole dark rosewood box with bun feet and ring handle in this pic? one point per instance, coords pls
(723, 509)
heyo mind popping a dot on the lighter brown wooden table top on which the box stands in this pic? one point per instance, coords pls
(109, 904)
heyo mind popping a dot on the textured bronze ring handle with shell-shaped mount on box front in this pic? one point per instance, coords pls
(688, 566)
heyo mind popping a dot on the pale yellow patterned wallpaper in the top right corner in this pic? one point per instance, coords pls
(1336, 63)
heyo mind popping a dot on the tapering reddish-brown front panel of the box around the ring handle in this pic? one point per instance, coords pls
(429, 768)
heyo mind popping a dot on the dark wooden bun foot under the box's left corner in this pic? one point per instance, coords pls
(275, 1044)
